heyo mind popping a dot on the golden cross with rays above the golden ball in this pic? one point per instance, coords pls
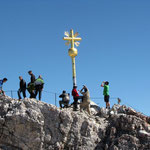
(72, 38)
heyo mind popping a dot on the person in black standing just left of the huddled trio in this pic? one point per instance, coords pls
(22, 88)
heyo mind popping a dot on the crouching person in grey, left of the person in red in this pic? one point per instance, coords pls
(65, 99)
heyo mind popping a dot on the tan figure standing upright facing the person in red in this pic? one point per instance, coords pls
(85, 104)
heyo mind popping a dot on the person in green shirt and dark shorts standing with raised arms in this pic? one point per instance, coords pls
(105, 85)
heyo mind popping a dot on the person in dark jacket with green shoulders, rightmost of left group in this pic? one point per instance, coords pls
(39, 85)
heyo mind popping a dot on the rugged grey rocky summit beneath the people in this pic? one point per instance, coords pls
(34, 125)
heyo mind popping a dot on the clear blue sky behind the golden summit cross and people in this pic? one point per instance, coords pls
(115, 46)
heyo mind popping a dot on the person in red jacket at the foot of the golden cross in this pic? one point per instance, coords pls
(75, 97)
